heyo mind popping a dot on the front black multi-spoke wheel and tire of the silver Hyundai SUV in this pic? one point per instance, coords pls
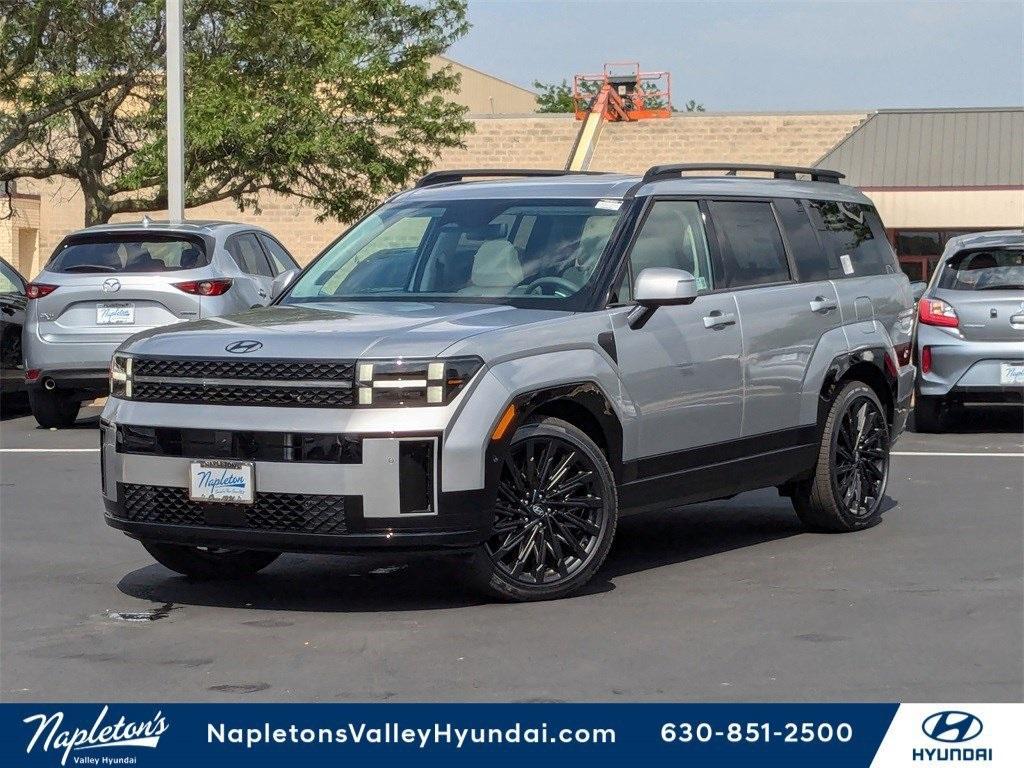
(550, 535)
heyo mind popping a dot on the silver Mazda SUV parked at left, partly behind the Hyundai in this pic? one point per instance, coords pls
(106, 283)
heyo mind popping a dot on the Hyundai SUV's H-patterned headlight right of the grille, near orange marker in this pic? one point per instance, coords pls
(410, 383)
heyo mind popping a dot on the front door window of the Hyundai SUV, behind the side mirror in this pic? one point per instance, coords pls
(673, 236)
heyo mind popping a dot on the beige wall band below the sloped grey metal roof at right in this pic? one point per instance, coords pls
(954, 209)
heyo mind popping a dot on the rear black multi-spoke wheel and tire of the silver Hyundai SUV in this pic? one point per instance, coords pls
(850, 478)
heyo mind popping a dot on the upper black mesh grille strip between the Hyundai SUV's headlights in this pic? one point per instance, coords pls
(230, 382)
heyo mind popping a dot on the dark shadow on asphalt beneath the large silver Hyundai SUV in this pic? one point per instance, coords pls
(397, 583)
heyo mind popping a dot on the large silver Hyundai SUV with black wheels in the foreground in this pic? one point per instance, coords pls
(502, 368)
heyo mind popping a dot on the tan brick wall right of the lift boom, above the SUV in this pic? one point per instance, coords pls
(702, 138)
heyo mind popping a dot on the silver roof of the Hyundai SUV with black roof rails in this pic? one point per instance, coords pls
(619, 186)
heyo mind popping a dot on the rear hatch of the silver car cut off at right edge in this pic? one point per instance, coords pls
(986, 287)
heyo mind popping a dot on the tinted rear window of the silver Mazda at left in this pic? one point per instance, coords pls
(129, 254)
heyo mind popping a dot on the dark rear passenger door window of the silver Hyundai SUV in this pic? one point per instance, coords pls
(752, 245)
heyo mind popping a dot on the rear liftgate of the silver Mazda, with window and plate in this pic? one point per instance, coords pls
(112, 286)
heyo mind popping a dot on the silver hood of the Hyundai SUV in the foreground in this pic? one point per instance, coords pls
(336, 330)
